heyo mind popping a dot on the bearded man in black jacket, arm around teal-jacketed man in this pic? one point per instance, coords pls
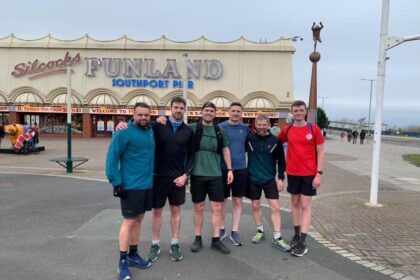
(173, 164)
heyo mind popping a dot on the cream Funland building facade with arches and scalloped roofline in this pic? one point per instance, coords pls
(109, 77)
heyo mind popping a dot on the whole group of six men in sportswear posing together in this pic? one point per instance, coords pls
(151, 162)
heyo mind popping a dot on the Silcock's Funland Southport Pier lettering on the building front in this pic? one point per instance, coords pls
(126, 72)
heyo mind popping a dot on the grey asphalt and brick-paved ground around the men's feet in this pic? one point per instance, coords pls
(60, 226)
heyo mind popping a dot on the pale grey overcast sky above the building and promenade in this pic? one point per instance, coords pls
(349, 49)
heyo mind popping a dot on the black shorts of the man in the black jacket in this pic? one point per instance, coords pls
(165, 188)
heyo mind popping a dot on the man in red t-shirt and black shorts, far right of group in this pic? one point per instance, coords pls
(304, 168)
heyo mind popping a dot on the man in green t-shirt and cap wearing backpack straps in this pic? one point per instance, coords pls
(211, 143)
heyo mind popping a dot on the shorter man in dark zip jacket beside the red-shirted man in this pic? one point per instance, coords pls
(265, 159)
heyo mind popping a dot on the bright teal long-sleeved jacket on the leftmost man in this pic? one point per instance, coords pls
(130, 158)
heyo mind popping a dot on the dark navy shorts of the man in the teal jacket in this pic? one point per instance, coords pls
(136, 203)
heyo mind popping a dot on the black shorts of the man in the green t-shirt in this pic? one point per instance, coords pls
(206, 185)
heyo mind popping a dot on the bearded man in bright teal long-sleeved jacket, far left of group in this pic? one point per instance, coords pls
(129, 168)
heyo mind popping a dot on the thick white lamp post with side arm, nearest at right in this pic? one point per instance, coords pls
(386, 43)
